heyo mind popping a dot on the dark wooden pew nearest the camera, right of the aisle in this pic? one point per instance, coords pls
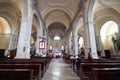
(106, 74)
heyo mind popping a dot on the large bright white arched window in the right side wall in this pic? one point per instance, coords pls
(108, 29)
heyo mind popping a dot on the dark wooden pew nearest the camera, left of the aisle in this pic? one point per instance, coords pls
(16, 74)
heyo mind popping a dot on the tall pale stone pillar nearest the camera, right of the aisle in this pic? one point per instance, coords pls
(93, 48)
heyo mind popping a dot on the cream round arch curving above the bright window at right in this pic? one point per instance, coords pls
(111, 15)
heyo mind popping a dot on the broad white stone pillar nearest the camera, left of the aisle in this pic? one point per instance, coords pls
(23, 48)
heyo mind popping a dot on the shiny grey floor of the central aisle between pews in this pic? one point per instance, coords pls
(59, 70)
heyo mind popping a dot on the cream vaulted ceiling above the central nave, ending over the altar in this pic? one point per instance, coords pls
(58, 14)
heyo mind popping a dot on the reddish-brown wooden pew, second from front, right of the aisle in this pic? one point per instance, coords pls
(86, 68)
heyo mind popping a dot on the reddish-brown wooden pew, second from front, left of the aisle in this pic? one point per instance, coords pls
(35, 67)
